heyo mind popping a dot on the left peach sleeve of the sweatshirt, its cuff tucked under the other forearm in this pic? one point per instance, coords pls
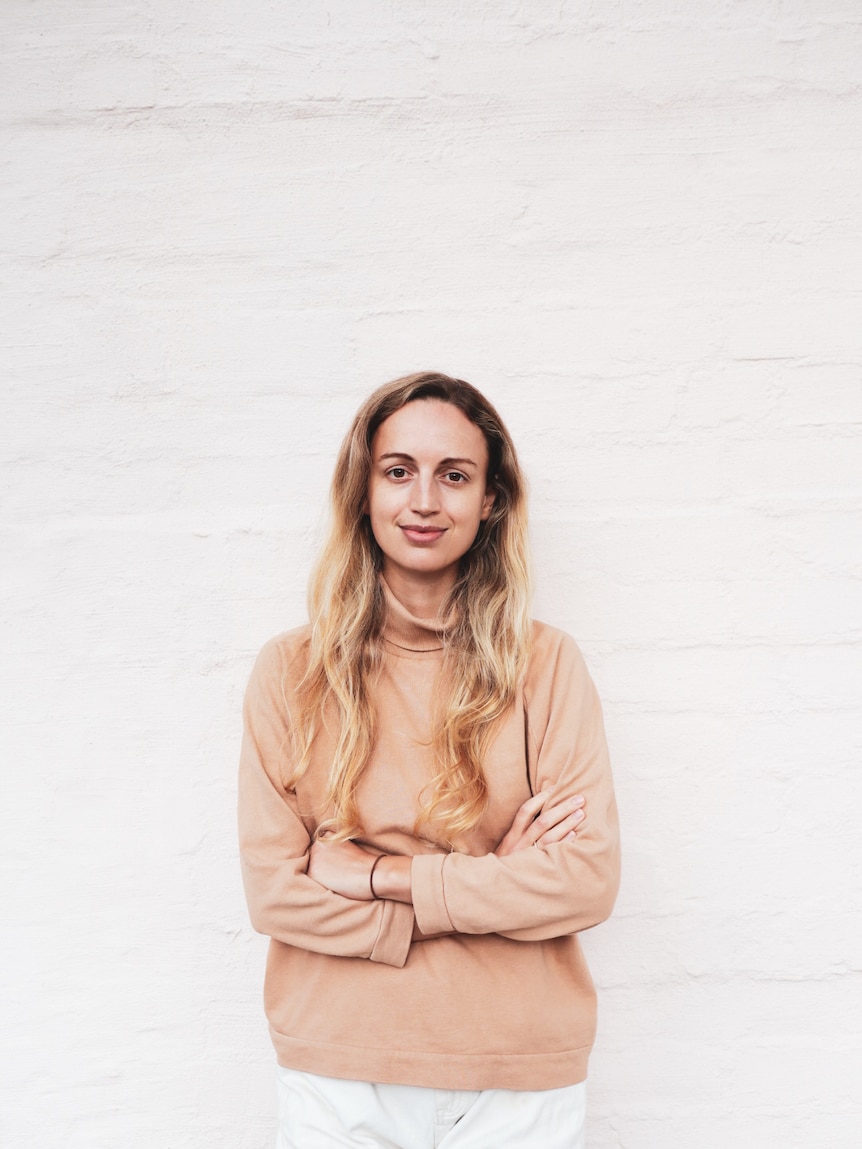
(283, 901)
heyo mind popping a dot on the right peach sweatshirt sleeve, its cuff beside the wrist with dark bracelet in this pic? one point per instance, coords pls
(549, 892)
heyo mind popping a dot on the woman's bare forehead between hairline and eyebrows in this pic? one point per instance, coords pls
(430, 429)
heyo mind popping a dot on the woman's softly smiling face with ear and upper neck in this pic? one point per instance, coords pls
(428, 491)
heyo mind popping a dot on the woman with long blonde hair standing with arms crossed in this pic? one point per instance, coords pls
(427, 809)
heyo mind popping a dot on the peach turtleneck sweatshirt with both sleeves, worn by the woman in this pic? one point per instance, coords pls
(504, 999)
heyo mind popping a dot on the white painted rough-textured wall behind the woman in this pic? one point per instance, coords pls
(637, 227)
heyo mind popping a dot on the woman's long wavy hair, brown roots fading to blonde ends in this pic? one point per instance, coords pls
(486, 650)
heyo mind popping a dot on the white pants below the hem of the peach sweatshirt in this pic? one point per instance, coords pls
(319, 1113)
